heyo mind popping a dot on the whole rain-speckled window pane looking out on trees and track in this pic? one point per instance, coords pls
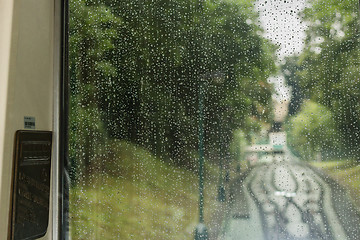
(214, 119)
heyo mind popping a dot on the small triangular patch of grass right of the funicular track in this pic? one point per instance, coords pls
(346, 173)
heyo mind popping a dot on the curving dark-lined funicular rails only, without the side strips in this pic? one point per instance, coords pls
(290, 199)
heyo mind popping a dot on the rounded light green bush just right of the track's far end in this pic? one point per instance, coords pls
(313, 130)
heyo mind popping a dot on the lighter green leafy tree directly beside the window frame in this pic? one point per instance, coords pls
(91, 38)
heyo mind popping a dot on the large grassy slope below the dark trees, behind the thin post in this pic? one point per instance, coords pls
(138, 196)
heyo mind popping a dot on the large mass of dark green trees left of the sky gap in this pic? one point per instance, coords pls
(140, 64)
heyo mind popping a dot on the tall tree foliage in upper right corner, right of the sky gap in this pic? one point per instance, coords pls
(330, 64)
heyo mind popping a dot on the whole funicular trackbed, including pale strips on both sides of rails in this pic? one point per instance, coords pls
(288, 200)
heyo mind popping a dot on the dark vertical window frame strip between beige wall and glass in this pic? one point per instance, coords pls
(60, 204)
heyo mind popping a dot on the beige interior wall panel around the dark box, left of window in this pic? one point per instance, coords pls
(28, 79)
